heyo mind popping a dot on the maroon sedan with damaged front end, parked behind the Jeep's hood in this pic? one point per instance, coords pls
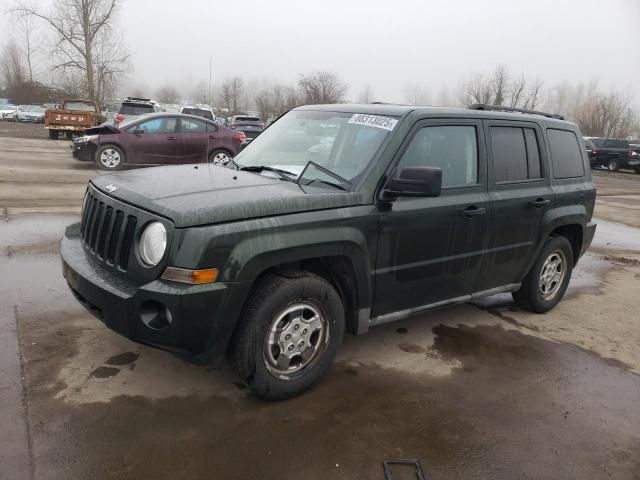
(158, 139)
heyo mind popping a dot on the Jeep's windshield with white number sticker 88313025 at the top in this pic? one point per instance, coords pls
(343, 143)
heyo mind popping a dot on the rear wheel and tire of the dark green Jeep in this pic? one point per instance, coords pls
(531, 295)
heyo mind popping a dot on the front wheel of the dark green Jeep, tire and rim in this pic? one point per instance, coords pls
(296, 302)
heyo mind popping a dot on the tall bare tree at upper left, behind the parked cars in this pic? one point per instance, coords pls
(85, 40)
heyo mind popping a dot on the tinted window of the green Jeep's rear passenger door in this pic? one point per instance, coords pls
(516, 155)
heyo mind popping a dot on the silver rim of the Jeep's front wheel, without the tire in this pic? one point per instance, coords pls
(296, 338)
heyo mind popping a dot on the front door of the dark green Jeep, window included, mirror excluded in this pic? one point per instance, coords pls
(430, 249)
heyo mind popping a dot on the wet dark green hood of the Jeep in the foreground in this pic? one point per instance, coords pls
(202, 194)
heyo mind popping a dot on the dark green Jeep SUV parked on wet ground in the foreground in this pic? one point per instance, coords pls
(383, 212)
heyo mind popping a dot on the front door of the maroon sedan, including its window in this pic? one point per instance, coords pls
(157, 144)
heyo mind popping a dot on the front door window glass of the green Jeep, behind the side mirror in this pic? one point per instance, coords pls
(454, 149)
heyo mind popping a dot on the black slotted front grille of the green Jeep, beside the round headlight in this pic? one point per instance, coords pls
(107, 232)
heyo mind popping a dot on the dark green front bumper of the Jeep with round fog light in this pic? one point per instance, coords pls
(201, 317)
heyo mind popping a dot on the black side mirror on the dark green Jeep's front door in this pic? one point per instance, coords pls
(415, 182)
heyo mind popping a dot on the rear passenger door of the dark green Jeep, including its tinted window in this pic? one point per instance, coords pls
(520, 190)
